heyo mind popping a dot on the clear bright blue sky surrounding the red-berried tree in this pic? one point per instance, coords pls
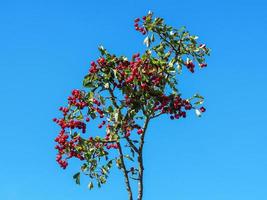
(45, 50)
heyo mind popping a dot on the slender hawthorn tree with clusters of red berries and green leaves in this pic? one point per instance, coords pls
(122, 96)
